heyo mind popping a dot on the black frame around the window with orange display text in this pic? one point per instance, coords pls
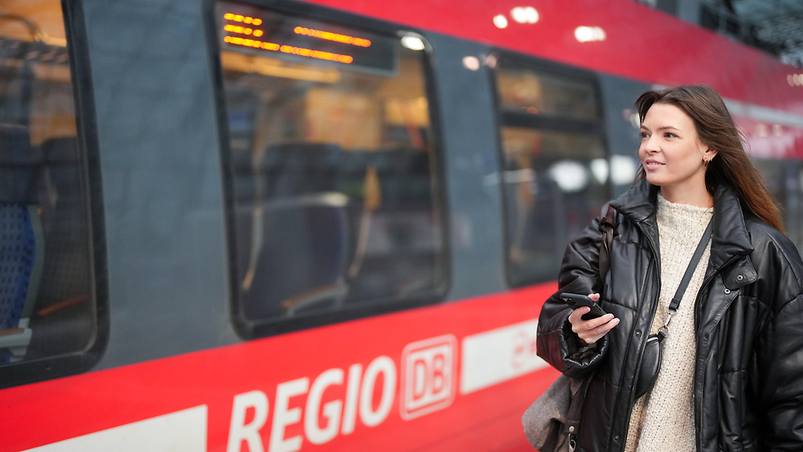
(250, 328)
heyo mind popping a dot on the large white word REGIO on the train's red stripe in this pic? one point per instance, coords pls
(360, 389)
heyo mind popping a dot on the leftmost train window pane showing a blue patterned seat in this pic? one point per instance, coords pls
(48, 310)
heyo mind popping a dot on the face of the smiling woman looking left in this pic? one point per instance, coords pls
(672, 153)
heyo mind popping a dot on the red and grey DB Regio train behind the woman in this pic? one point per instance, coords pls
(276, 225)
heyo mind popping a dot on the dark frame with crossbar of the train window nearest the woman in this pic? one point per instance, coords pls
(536, 122)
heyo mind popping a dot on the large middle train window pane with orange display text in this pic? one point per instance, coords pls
(335, 203)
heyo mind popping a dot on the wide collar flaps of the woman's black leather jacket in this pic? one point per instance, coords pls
(730, 237)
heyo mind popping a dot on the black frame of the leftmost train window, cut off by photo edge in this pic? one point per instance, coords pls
(57, 366)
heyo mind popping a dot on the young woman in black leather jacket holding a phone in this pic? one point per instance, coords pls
(731, 369)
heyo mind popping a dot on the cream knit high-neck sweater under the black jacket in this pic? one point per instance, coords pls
(663, 419)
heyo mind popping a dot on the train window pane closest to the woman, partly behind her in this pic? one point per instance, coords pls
(555, 172)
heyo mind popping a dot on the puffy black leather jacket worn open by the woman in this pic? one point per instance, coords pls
(748, 385)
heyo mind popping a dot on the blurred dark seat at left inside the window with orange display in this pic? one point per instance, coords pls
(302, 259)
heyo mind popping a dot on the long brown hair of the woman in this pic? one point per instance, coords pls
(716, 129)
